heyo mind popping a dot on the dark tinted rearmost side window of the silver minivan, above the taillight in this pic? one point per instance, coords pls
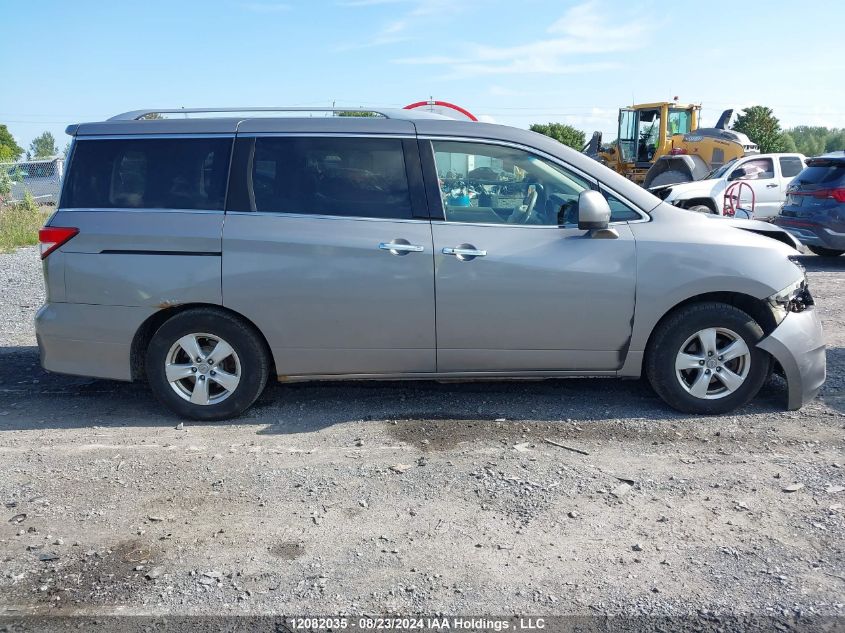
(148, 173)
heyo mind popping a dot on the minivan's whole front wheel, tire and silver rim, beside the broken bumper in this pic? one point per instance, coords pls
(683, 337)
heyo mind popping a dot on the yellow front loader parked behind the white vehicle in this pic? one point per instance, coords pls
(661, 144)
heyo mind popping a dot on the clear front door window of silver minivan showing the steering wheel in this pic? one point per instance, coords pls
(494, 184)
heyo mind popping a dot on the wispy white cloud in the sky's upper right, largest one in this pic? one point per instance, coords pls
(582, 30)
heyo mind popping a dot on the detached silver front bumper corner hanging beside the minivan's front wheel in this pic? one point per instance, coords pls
(798, 345)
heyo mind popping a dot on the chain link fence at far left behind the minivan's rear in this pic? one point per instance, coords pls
(41, 179)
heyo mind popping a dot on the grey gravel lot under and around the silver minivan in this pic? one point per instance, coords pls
(417, 497)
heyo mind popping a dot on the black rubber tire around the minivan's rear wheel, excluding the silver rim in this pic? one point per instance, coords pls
(250, 361)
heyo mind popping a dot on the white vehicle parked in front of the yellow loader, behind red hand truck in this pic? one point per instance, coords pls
(767, 175)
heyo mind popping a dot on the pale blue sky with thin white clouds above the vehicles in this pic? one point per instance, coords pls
(514, 62)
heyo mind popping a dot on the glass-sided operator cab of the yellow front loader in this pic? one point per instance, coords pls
(646, 130)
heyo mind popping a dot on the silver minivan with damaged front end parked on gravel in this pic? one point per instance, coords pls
(207, 254)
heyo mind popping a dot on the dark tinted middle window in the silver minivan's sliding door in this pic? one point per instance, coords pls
(357, 177)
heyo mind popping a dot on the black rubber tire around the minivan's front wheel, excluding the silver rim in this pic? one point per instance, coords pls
(670, 337)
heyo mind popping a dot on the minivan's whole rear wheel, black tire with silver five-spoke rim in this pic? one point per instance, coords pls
(199, 386)
